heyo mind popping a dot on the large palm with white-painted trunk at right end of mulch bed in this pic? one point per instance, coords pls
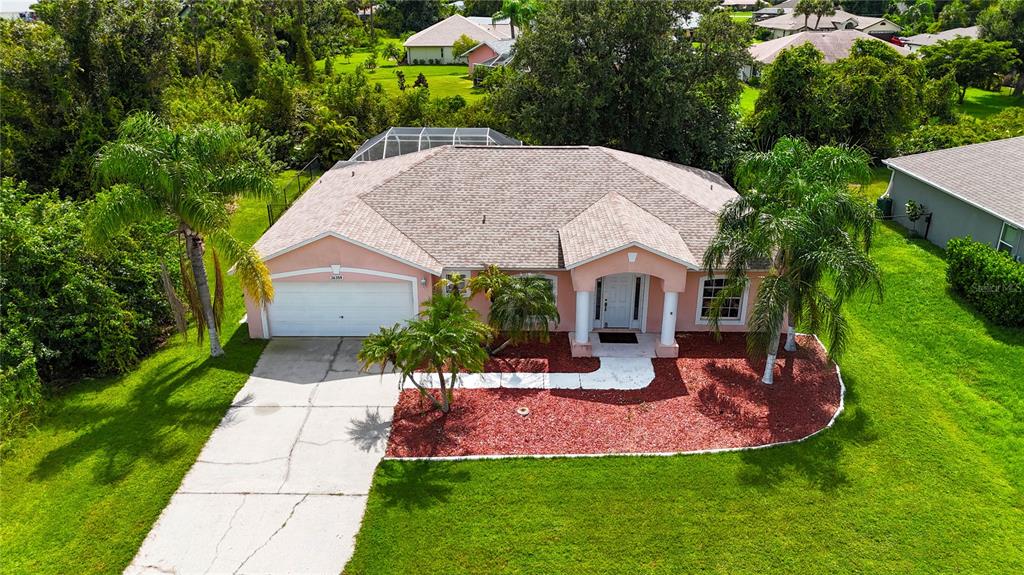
(797, 216)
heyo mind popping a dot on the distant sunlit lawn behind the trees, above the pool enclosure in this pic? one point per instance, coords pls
(444, 81)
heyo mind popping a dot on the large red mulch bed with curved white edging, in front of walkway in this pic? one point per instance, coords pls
(711, 397)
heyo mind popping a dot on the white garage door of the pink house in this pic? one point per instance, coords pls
(338, 308)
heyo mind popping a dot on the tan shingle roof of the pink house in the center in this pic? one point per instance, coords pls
(519, 207)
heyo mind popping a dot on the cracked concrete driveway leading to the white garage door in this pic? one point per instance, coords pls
(282, 485)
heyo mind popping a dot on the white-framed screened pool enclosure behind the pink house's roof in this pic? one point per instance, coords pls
(402, 141)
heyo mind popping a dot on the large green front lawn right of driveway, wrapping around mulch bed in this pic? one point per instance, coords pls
(924, 473)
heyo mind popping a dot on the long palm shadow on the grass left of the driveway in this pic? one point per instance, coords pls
(149, 425)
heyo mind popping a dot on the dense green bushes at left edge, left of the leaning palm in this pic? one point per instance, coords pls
(71, 311)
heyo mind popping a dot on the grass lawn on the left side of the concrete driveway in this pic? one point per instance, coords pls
(82, 490)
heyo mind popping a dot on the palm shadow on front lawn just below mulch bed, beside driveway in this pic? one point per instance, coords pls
(418, 484)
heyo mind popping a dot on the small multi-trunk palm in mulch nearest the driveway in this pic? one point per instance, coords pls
(448, 338)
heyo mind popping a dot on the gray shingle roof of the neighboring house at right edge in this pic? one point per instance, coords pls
(990, 175)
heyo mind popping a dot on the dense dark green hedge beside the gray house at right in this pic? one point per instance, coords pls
(991, 280)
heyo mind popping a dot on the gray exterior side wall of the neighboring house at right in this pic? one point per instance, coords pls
(952, 217)
